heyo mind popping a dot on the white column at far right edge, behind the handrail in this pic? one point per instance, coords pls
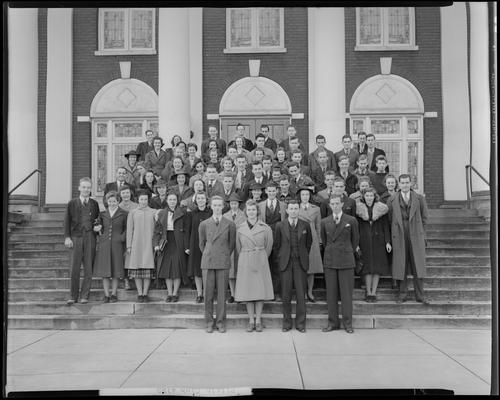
(479, 92)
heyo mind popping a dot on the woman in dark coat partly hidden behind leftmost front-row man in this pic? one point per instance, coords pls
(194, 218)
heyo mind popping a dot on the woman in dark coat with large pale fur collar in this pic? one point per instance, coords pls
(374, 240)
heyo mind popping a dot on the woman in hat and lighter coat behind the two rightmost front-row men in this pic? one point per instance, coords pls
(311, 213)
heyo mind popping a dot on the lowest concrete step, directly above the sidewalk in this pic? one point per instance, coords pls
(239, 321)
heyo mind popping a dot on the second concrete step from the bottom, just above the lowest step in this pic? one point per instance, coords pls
(191, 307)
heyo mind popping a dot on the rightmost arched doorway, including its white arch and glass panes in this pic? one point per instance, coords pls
(392, 108)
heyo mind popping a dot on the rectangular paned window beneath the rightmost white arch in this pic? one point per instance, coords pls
(401, 137)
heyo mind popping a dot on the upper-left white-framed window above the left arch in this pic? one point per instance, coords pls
(126, 31)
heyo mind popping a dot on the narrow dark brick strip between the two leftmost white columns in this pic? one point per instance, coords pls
(42, 96)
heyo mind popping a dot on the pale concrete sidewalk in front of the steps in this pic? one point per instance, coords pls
(452, 359)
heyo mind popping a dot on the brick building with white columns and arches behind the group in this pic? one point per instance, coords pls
(85, 83)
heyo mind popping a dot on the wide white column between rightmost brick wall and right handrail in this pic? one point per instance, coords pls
(456, 119)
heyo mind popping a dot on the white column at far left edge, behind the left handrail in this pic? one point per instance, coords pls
(22, 124)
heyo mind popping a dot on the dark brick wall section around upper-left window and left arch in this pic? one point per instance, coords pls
(90, 74)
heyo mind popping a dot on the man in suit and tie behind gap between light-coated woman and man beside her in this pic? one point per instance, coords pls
(272, 211)
